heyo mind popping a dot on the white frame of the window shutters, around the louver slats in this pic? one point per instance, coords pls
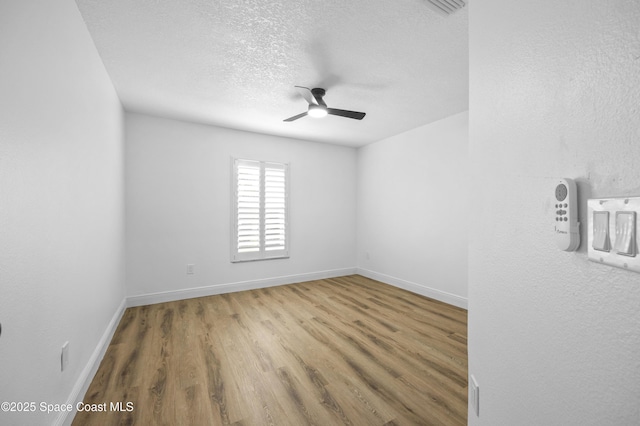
(262, 252)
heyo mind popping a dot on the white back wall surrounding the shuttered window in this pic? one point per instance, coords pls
(178, 195)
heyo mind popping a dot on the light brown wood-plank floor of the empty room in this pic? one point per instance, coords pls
(346, 350)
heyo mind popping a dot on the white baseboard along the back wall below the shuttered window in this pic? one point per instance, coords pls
(189, 293)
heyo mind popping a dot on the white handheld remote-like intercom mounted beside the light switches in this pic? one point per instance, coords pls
(566, 226)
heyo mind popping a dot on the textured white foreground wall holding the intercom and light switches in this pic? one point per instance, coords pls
(555, 89)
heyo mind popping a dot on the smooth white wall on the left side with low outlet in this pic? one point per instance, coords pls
(61, 202)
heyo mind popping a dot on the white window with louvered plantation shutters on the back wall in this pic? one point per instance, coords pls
(260, 210)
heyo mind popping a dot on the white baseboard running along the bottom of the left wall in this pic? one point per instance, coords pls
(85, 378)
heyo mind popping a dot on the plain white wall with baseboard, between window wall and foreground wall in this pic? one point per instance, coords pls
(412, 210)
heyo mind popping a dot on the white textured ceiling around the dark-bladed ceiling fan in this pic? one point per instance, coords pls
(234, 63)
